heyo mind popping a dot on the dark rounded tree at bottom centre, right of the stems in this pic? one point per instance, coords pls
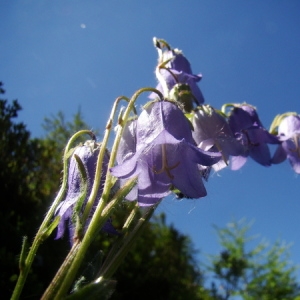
(161, 265)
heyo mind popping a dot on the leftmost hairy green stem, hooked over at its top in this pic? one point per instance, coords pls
(42, 233)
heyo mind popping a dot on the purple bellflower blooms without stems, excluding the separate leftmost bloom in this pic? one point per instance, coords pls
(175, 142)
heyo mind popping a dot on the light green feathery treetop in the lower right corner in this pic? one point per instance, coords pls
(263, 272)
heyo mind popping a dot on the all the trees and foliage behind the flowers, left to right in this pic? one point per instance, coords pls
(162, 264)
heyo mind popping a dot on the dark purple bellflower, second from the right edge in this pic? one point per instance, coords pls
(248, 129)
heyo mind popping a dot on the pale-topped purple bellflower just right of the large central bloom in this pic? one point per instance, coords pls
(212, 133)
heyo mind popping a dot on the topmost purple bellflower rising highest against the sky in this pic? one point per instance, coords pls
(175, 75)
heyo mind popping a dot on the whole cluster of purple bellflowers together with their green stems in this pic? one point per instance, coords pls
(170, 147)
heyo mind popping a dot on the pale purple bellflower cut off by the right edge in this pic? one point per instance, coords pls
(289, 135)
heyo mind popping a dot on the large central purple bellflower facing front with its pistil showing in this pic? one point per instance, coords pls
(166, 156)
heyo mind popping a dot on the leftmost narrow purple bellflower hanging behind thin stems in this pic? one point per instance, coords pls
(88, 153)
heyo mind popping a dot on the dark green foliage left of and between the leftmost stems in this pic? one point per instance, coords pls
(30, 171)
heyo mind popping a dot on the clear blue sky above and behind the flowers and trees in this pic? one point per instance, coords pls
(65, 55)
